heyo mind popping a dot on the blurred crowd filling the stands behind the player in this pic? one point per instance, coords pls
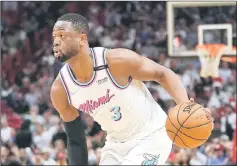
(31, 130)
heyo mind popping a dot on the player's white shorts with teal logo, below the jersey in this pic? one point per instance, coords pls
(153, 149)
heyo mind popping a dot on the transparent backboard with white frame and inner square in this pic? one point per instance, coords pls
(205, 26)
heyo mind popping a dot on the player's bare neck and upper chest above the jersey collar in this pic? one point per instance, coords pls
(82, 64)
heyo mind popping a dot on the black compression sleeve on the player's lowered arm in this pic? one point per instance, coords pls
(76, 142)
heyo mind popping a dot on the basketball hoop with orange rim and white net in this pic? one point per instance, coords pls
(210, 56)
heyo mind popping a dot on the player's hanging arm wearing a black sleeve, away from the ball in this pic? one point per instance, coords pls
(76, 142)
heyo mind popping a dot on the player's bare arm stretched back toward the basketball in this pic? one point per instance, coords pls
(144, 69)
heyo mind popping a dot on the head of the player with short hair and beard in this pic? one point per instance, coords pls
(69, 35)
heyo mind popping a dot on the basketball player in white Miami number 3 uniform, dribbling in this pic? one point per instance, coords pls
(107, 84)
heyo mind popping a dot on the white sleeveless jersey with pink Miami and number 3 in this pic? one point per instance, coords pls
(124, 112)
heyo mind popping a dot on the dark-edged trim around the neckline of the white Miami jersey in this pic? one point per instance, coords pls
(93, 76)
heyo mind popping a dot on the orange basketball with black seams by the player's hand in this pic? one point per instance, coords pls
(189, 125)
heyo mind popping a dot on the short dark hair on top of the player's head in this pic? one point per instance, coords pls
(79, 22)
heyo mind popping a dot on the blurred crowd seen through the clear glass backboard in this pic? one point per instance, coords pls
(188, 19)
